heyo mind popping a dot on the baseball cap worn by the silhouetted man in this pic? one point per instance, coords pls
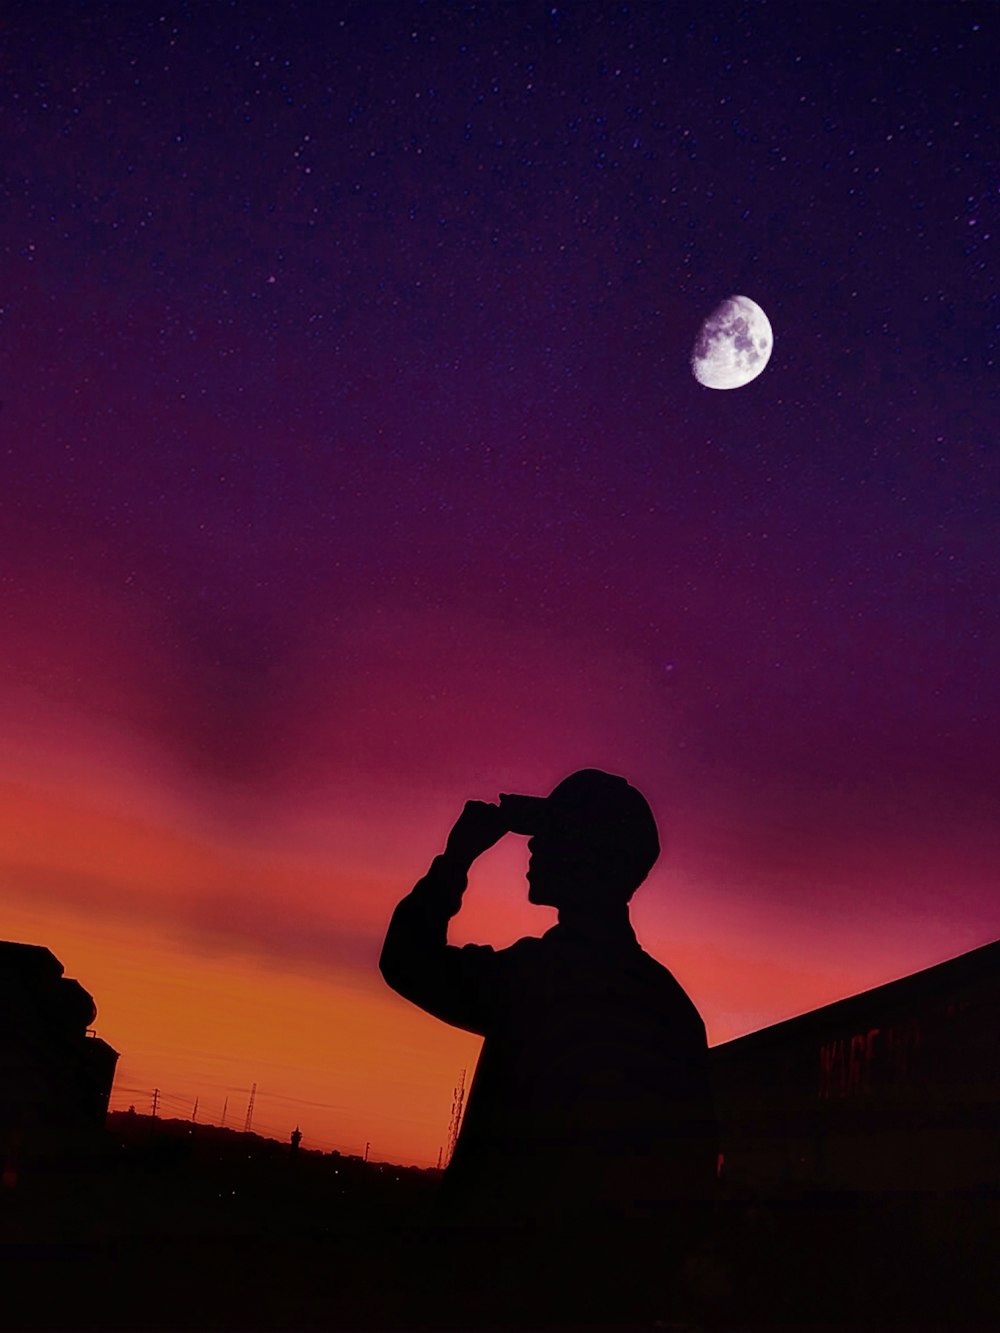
(595, 808)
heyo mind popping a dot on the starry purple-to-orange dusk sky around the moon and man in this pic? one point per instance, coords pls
(354, 467)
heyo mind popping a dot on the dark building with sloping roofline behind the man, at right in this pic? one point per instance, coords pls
(893, 1090)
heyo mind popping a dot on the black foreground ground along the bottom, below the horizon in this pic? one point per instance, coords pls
(173, 1231)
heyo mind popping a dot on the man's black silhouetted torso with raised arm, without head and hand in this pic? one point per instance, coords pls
(591, 1098)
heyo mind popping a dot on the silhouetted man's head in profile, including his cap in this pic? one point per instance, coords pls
(593, 840)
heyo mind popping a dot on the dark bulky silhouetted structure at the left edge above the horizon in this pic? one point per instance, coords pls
(55, 1076)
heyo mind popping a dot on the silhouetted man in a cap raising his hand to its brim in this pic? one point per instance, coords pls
(590, 1115)
